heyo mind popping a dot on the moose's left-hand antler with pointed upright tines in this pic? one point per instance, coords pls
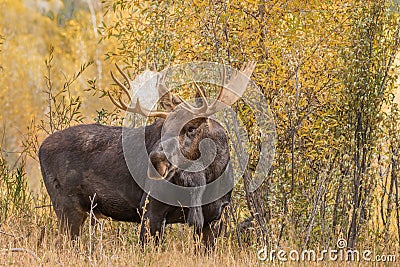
(137, 108)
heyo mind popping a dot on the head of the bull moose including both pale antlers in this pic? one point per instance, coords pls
(185, 125)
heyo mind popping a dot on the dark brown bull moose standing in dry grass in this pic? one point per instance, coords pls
(91, 160)
